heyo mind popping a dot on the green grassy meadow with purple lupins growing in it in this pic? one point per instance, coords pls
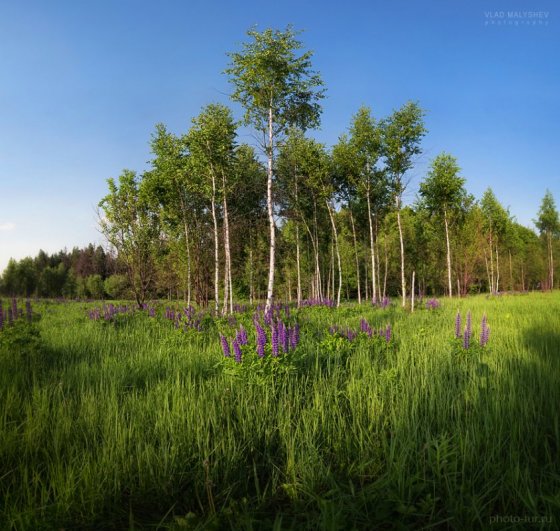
(132, 423)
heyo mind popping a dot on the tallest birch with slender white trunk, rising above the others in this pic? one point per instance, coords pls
(278, 89)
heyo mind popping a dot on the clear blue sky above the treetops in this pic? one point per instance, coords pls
(82, 84)
